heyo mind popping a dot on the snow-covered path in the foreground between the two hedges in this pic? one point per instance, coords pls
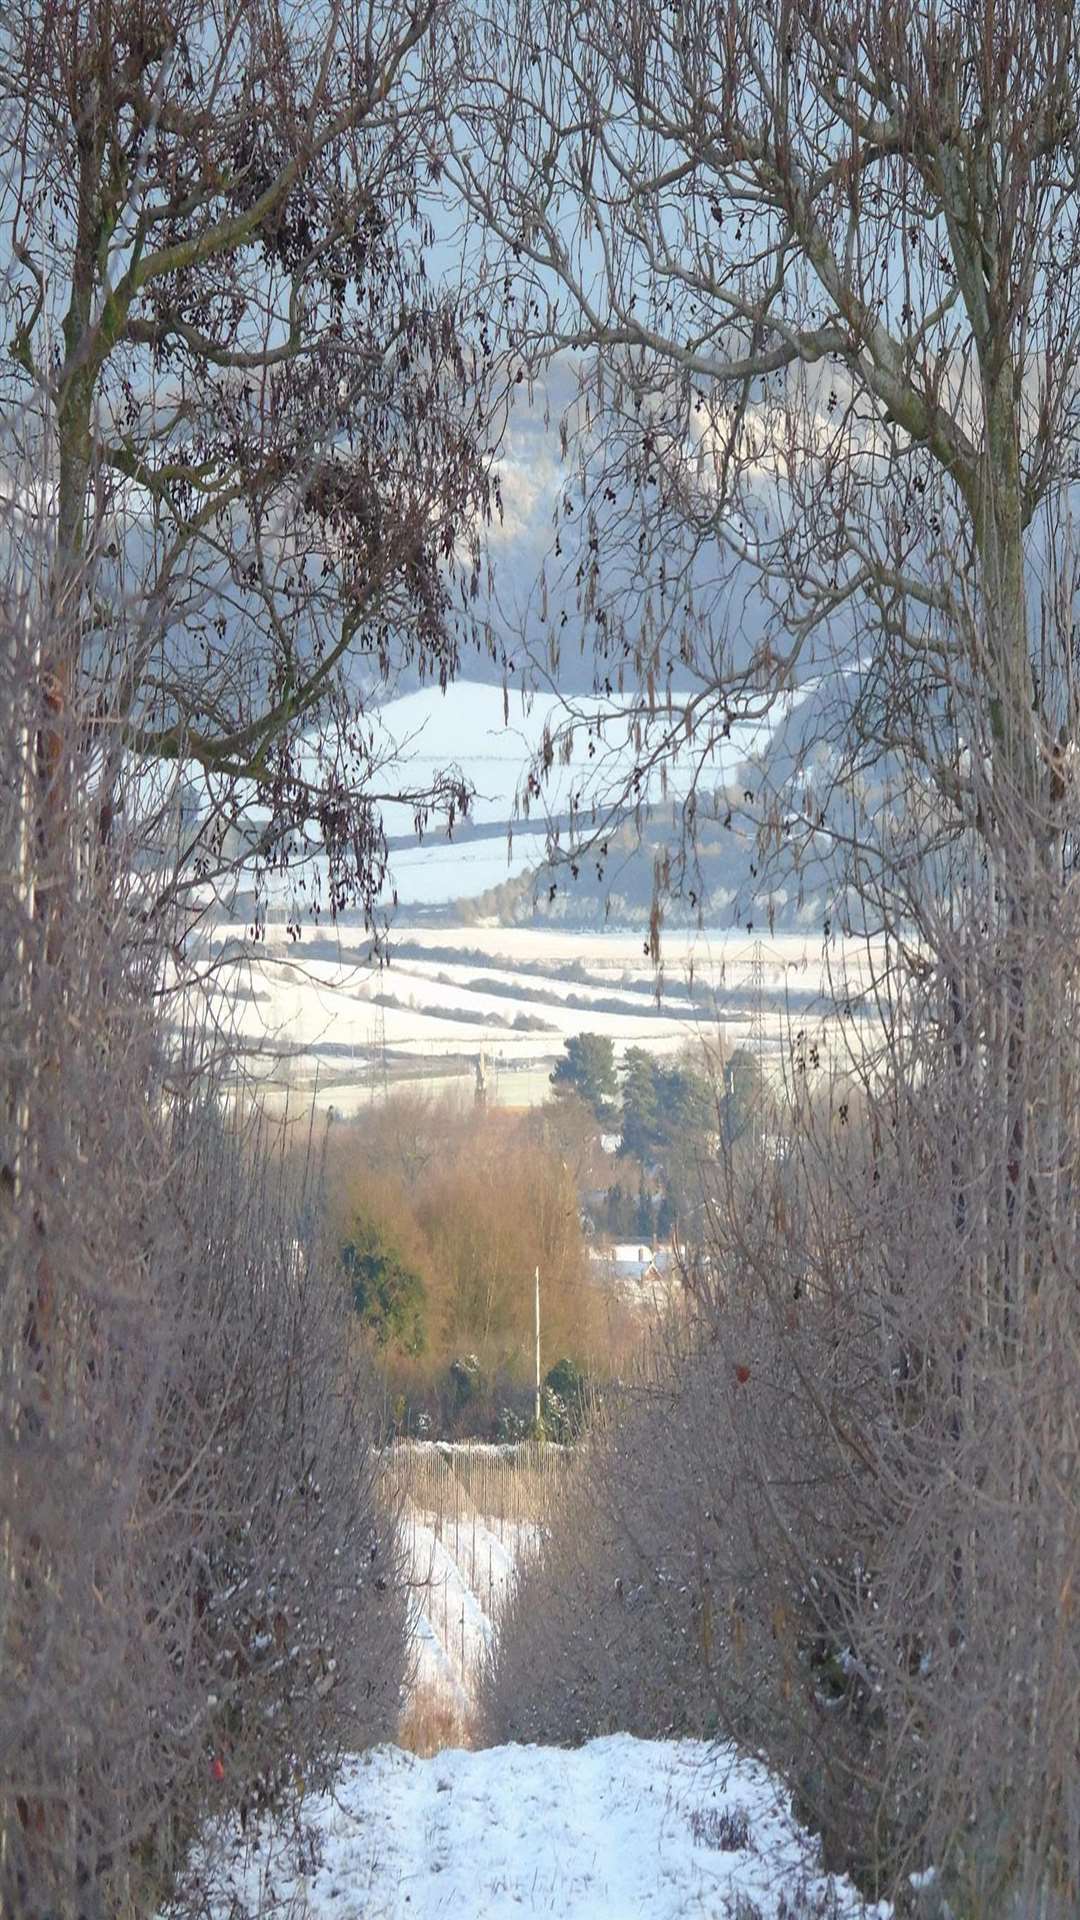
(614, 1831)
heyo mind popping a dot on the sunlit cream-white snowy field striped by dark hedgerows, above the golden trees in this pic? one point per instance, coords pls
(322, 1022)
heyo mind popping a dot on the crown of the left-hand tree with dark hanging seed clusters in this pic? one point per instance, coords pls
(258, 420)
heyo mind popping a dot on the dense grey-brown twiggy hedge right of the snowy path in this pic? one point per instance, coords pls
(841, 1520)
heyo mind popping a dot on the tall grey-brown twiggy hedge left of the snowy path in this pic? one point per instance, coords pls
(201, 1585)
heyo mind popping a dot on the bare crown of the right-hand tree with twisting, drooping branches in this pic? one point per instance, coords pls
(822, 264)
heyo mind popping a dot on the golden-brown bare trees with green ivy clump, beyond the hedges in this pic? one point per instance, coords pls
(441, 1216)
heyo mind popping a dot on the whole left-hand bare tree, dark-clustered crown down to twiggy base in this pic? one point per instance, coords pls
(245, 475)
